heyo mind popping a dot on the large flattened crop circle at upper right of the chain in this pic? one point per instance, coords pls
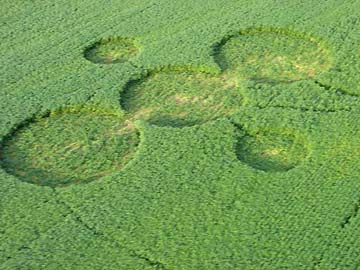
(273, 56)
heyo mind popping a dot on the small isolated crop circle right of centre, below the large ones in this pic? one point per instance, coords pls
(271, 151)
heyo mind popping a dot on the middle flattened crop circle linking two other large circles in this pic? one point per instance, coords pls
(181, 98)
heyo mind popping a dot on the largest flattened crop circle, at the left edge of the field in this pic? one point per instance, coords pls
(69, 148)
